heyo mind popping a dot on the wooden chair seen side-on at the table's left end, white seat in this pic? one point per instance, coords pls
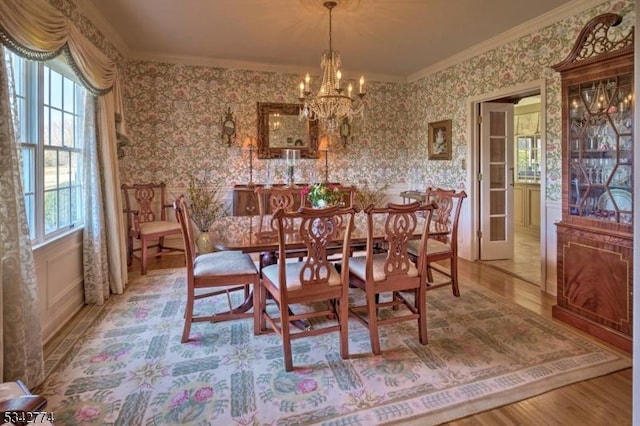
(221, 273)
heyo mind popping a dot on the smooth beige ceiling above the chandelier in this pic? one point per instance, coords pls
(383, 39)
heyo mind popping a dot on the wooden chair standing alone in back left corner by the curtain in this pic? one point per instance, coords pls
(145, 207)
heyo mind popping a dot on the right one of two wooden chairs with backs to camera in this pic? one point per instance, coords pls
(392, 271)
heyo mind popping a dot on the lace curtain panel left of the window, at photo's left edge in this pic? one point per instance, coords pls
(21, 355)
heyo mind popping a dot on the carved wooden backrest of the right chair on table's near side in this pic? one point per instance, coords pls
(400, 224)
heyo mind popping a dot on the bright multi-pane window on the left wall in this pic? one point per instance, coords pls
(50, 116)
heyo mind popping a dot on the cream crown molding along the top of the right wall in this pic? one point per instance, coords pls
(565, 11)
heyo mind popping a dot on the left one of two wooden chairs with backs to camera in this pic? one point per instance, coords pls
(314, 279)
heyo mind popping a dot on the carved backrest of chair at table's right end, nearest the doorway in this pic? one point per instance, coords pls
(448, 212)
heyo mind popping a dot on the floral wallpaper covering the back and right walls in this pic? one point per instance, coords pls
(174, 113)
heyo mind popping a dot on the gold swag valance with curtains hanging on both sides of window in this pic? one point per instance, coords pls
(35, 30)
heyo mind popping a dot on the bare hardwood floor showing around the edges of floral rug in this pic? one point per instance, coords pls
(605, 400)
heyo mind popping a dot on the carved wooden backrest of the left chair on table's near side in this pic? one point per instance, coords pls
(317, 230)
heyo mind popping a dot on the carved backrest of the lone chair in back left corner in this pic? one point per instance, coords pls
(146, 200)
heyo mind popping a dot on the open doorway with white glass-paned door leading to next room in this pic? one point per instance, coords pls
(527, 258)
